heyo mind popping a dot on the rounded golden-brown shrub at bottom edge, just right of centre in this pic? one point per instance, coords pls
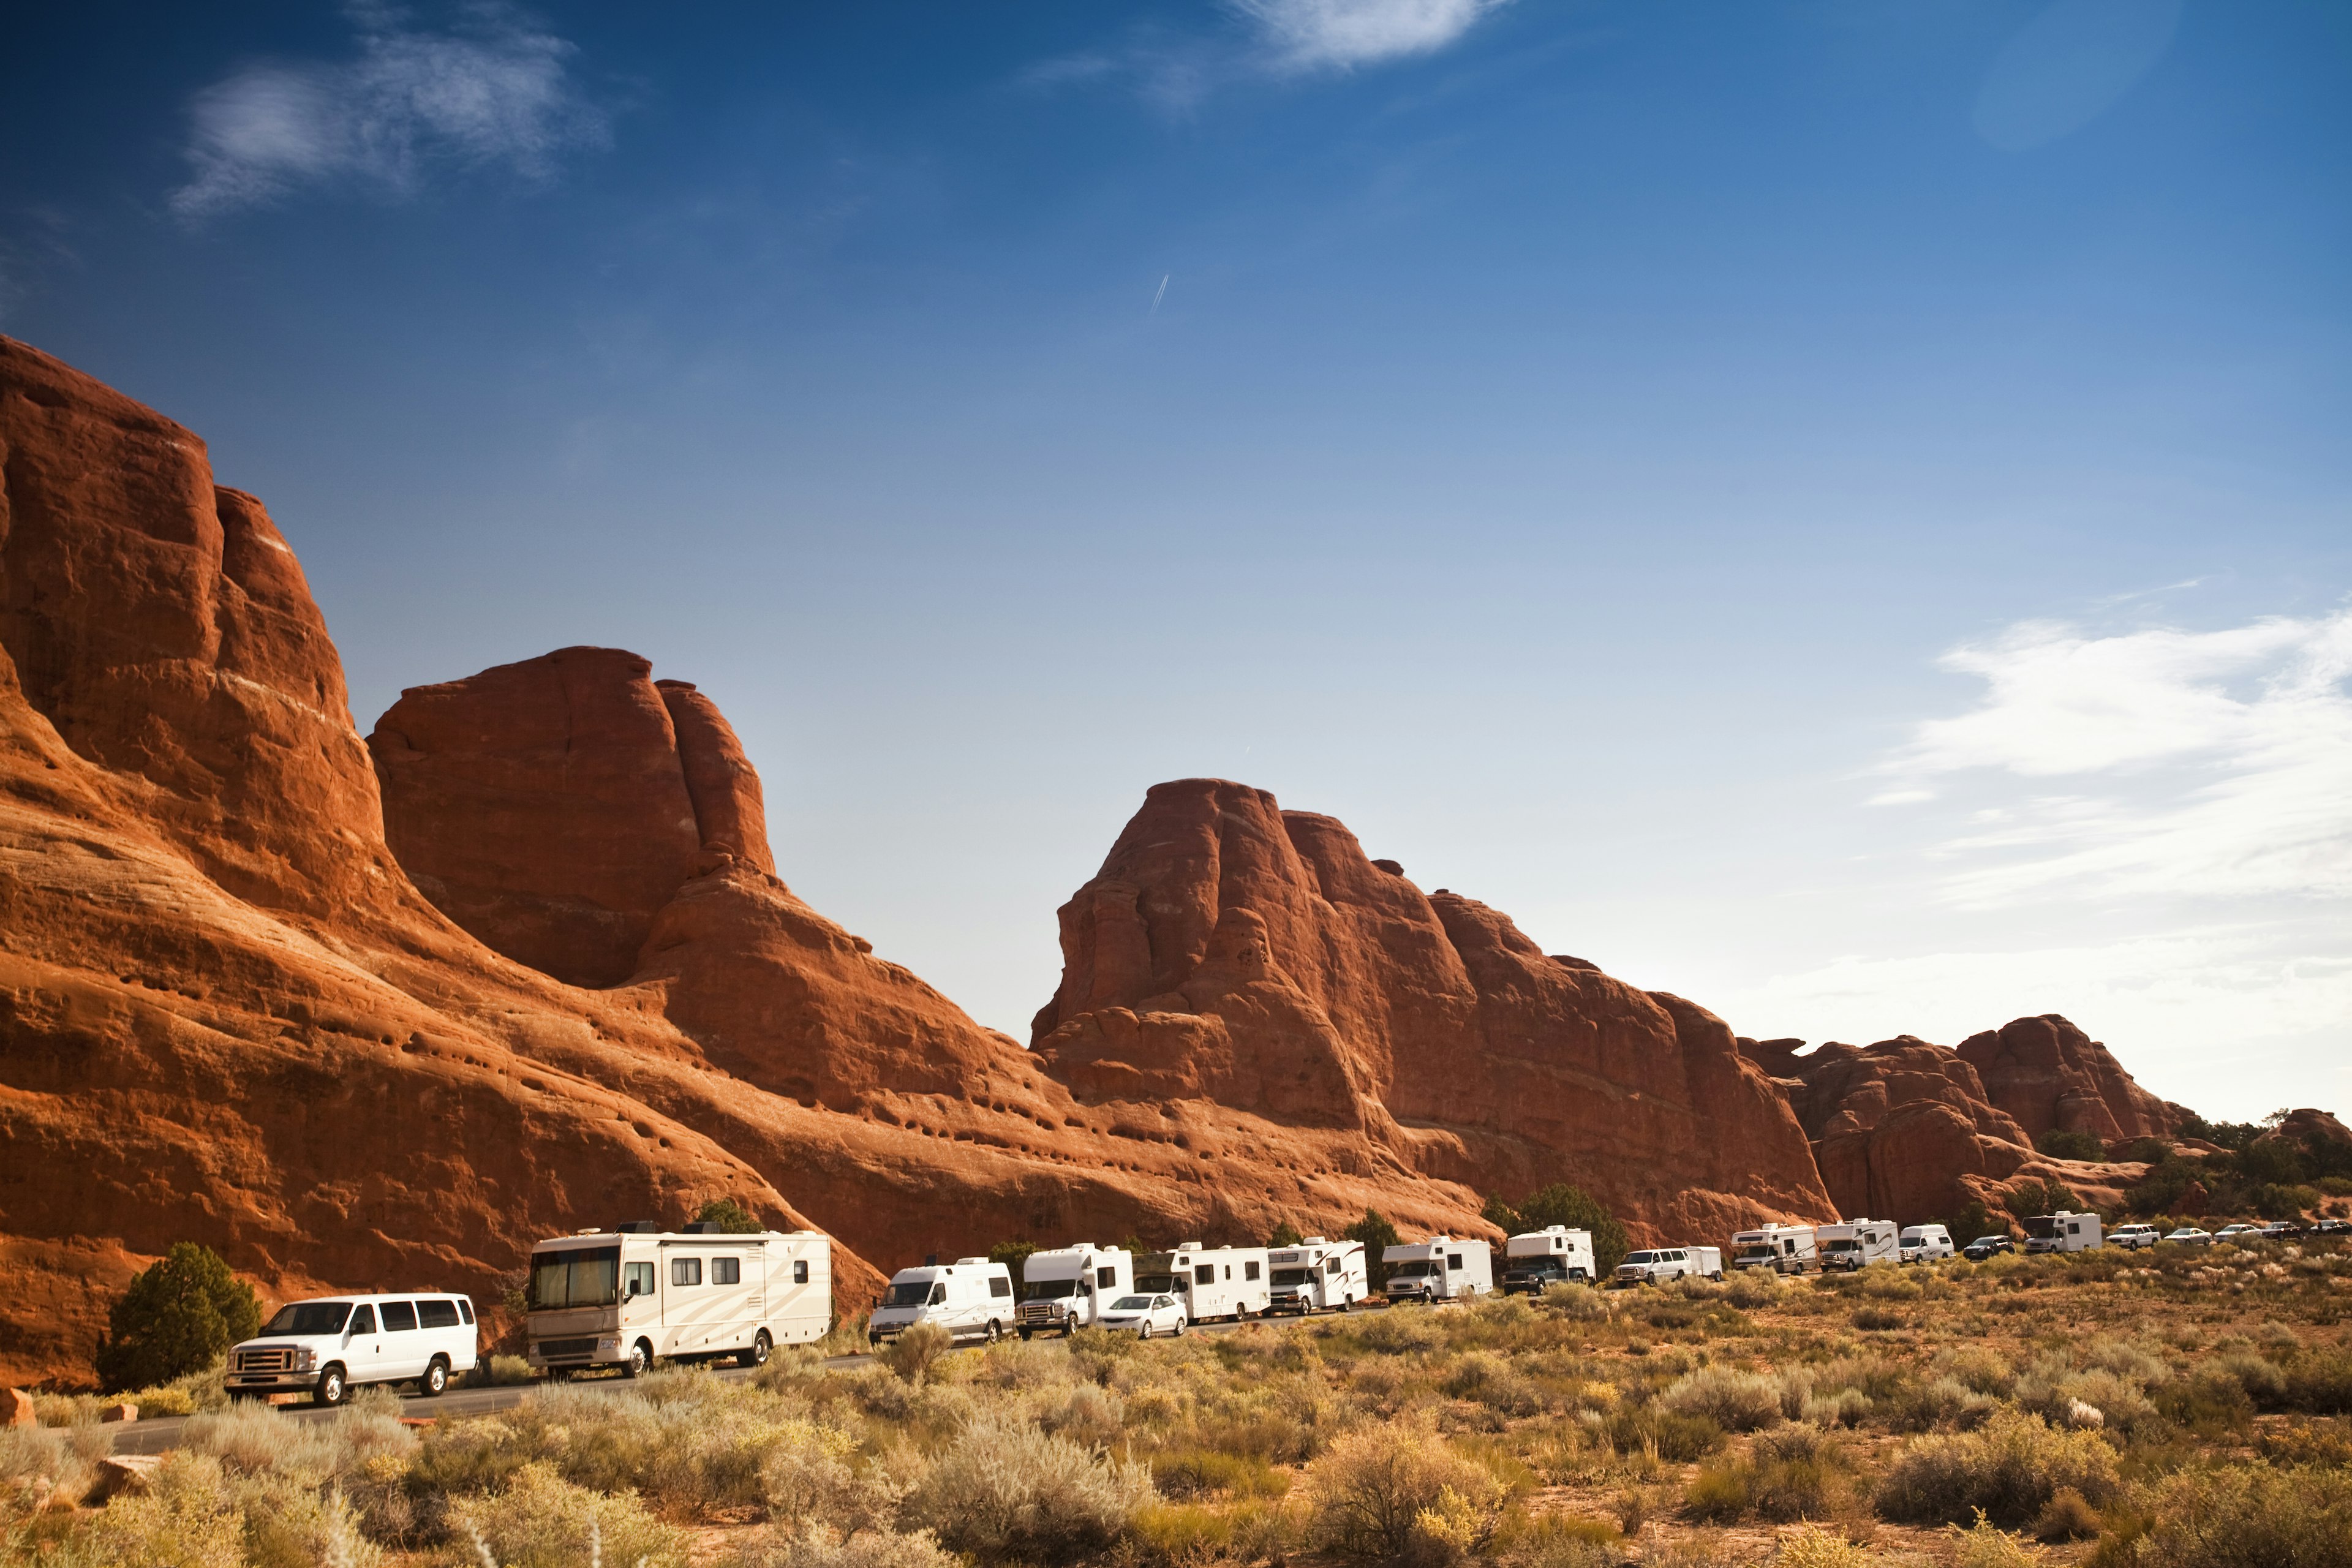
(1375, 1487)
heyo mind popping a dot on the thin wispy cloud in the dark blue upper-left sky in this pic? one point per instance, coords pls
(495, 93)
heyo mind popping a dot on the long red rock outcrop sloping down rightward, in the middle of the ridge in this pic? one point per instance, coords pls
(1262, 960)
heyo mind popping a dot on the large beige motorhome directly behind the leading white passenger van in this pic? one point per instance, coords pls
(639, 1292)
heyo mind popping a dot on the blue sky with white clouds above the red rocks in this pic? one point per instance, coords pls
(1831, 511)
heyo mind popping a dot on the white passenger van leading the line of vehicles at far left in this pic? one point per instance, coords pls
(338, 1343)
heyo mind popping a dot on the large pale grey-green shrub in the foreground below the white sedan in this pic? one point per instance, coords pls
(1010, 1492)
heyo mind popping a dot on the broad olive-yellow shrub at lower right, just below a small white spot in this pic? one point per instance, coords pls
(2010, 1470)
